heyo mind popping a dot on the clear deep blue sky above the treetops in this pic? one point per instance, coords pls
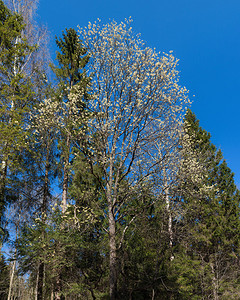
(203, 34)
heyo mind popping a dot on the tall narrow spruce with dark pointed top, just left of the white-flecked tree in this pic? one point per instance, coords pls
(72, 59)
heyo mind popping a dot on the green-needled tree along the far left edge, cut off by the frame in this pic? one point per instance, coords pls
(14, 92)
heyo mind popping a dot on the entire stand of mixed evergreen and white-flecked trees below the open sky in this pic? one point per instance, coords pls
(109, 186)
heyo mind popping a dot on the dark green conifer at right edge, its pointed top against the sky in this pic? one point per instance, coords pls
(207, 246)
